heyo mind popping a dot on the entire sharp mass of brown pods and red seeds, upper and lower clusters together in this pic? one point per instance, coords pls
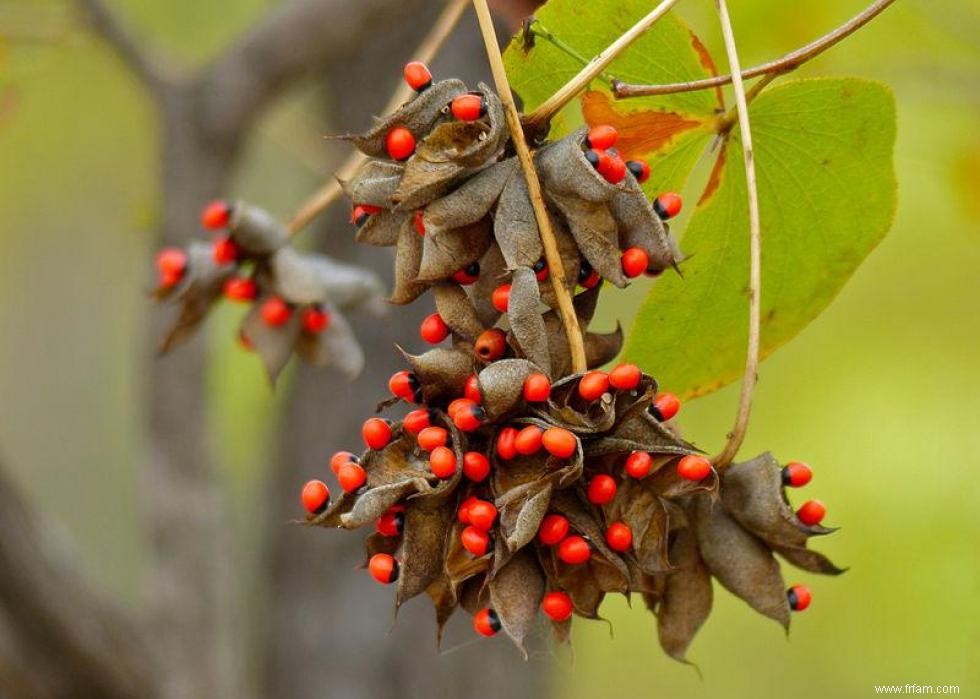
(518, 487)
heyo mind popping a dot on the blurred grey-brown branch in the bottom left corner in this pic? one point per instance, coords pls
(64, 641)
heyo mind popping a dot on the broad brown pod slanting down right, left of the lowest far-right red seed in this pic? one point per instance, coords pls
(741, 562)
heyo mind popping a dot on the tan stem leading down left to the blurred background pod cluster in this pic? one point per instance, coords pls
(425, 52)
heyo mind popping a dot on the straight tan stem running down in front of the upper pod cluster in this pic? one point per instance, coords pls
(566, 307)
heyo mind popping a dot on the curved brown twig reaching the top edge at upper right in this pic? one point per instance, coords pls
(784, 64)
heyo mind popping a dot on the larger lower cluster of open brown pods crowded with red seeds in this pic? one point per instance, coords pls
(504, 493)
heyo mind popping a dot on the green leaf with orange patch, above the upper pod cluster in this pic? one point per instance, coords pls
(669, 131)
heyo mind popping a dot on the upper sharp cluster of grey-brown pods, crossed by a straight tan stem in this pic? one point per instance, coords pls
(458, 212)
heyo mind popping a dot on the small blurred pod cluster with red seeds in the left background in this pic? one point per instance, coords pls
(296, 297)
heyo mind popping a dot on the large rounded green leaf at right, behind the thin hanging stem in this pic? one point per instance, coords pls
(823, 151)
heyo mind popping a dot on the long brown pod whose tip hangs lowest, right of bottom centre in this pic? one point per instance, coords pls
(687, 596)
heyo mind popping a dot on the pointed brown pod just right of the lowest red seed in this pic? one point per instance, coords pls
(515, 594)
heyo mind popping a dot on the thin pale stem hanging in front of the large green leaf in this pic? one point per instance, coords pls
(737, 435)
